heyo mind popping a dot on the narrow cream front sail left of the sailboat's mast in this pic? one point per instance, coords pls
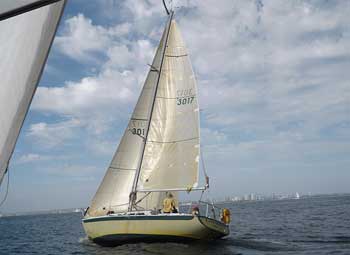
(113, 193)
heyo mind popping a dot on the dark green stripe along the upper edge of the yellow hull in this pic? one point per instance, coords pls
(117, 218)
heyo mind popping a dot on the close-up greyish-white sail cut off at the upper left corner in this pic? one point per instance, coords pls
(25, 41)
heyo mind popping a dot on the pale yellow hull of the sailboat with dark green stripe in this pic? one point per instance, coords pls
(114, 230)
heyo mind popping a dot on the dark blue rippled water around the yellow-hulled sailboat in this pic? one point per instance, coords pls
(319, 225)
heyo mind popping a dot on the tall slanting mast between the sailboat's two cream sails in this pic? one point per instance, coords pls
(132, 197)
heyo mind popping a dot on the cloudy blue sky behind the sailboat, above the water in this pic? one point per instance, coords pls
(274, 93)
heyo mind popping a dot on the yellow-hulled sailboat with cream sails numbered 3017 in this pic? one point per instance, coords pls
(157, 155)
